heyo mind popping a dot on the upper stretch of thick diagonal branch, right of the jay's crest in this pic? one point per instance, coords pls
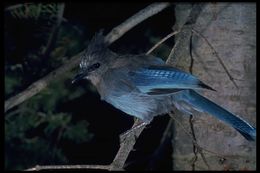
(142, 15)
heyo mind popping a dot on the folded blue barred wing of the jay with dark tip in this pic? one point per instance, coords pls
(155, 80)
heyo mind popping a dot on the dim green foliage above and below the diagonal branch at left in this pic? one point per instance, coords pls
(34, 129)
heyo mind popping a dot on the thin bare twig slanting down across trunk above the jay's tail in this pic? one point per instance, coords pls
(218, 57)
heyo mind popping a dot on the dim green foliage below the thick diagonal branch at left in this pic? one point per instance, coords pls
(38, 114)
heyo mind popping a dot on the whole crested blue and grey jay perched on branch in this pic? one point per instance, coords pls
(144, 86)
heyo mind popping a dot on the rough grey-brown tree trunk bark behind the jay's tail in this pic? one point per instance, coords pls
(231, 29)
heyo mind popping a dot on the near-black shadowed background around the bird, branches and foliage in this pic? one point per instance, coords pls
(105, 122)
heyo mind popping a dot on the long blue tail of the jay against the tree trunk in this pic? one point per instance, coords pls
(198, 102)
